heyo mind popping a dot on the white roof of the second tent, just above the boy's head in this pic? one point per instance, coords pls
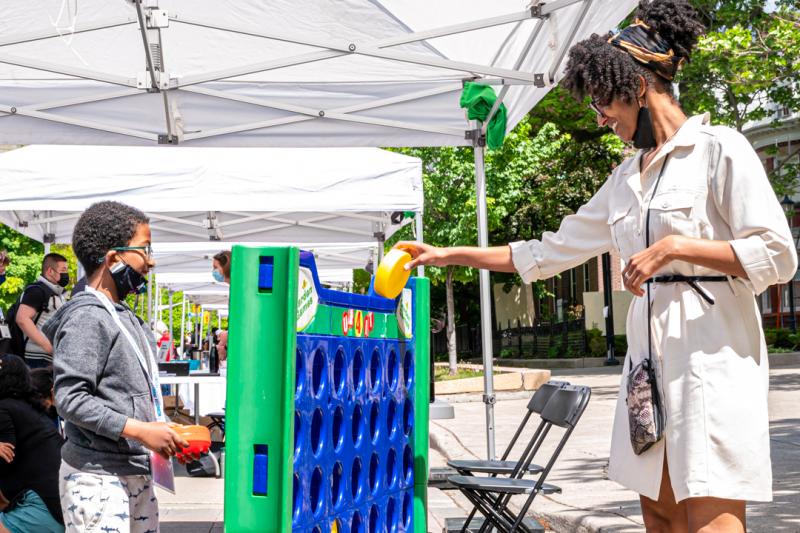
(280, 195)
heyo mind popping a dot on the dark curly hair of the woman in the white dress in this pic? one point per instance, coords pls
(606, 73)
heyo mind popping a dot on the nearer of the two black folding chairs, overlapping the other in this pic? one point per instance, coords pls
(491, 495)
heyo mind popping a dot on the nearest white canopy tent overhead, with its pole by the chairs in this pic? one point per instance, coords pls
(285, 73)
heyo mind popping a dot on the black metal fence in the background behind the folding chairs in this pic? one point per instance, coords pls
(545, 339)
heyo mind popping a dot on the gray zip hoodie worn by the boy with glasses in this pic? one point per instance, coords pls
(99, 384)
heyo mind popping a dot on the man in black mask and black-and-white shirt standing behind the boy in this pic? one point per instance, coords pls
(39, 301)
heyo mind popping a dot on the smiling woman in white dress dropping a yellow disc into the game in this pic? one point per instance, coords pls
(714, 215)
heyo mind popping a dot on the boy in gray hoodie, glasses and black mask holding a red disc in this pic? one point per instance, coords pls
(106, 380)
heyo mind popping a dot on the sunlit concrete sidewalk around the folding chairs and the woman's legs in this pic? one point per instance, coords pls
(590, 502)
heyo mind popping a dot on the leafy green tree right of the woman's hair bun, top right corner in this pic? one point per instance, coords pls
(747, 64)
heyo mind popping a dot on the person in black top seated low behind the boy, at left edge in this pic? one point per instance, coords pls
(30, 453)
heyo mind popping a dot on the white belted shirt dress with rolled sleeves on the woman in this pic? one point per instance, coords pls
(712, 364)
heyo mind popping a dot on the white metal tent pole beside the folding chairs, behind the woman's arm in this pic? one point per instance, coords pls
(486, 303)
